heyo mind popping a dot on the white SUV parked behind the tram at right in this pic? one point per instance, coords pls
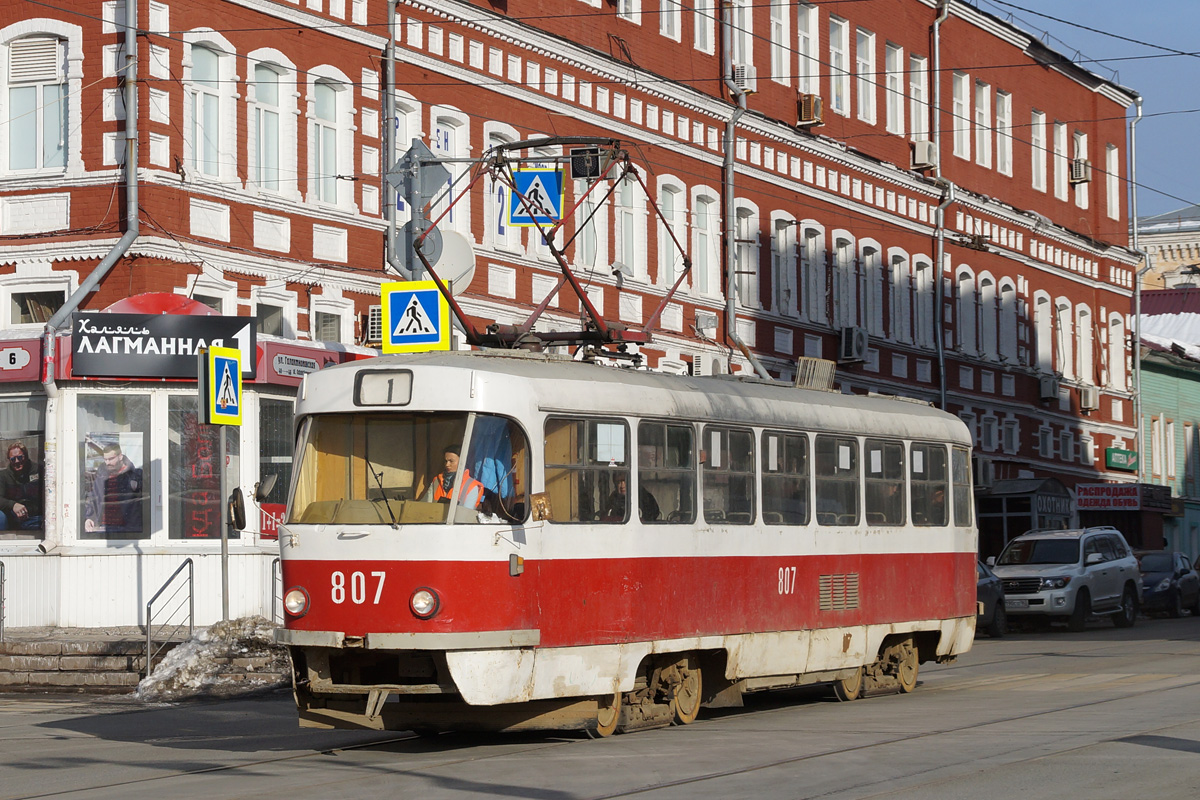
(1071, 574)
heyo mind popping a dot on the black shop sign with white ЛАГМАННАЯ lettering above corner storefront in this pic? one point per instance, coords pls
(155, 346)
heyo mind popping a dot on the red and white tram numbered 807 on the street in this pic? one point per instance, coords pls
(779, 537)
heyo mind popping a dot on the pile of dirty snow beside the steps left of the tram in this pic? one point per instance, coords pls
(235, 658)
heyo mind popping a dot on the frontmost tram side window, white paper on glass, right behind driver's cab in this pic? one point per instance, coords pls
(587, 462)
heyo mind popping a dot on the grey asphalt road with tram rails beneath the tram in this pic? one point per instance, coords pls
(1102, 714)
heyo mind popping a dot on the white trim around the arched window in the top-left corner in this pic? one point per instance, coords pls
(74, 38)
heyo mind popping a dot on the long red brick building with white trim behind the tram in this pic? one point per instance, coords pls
(875, 139)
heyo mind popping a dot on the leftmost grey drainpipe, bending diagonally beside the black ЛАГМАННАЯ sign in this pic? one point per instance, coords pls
(50, 335)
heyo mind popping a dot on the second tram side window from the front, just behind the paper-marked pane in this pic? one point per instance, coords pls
(667, 473)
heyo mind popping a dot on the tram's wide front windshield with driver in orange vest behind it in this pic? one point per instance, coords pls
(410, 468)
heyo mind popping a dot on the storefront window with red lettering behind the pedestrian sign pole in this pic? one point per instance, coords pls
(194, 508)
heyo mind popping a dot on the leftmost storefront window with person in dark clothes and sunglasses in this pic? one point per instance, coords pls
(22, 491)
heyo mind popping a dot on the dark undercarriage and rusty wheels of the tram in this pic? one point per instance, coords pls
(415, 691)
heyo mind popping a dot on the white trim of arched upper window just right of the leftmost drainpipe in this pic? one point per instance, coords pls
(227, 93)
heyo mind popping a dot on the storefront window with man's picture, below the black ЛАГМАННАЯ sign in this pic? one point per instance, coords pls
(115, 447)
